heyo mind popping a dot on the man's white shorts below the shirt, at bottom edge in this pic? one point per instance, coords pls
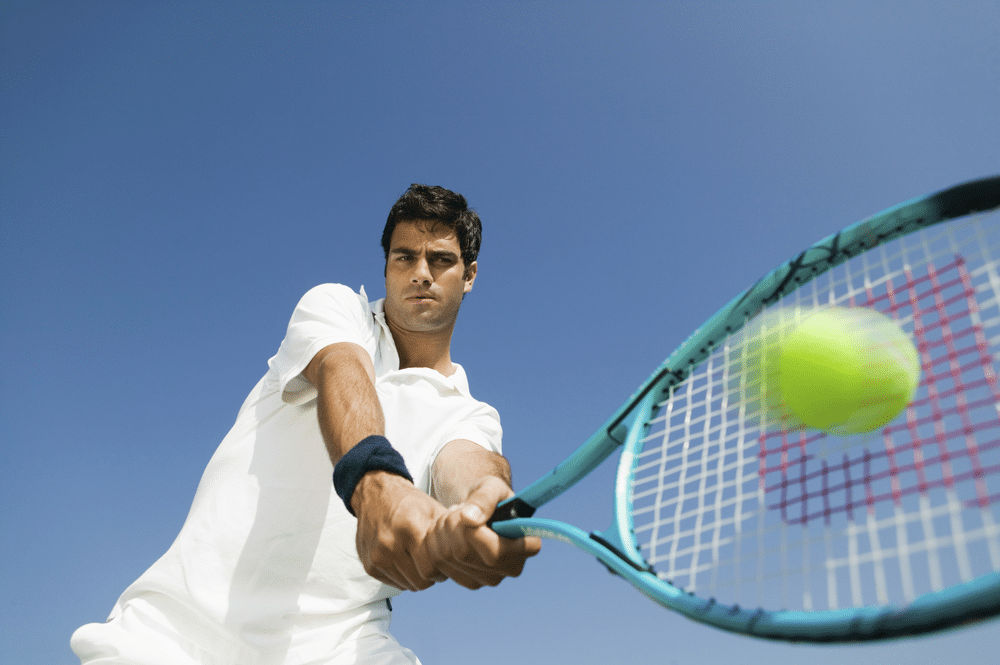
(142, 634)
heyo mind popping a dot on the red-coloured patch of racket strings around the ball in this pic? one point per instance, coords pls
(940, 444)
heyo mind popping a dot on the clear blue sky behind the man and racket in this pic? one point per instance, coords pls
(174, 175)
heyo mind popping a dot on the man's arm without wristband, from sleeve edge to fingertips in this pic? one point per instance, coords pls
(471, 481)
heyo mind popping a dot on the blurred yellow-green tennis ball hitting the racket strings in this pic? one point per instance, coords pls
(847, 370)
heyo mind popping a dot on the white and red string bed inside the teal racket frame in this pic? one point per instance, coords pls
(728, 502)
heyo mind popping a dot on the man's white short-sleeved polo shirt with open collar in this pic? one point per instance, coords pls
(268, 547)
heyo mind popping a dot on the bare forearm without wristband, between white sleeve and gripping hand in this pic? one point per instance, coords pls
(460, 469)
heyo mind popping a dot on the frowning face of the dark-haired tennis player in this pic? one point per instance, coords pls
(425, 277)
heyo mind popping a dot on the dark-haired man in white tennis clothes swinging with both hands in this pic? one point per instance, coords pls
(276, 563)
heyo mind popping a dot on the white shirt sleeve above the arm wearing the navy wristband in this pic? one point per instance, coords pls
(326, 314)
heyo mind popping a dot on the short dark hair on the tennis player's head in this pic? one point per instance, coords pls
(438, 204)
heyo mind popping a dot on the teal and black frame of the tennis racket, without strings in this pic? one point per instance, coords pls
(616, 547)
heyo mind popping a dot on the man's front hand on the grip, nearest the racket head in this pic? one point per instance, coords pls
(462, 547)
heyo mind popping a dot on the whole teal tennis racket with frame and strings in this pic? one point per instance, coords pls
(785, 532)
